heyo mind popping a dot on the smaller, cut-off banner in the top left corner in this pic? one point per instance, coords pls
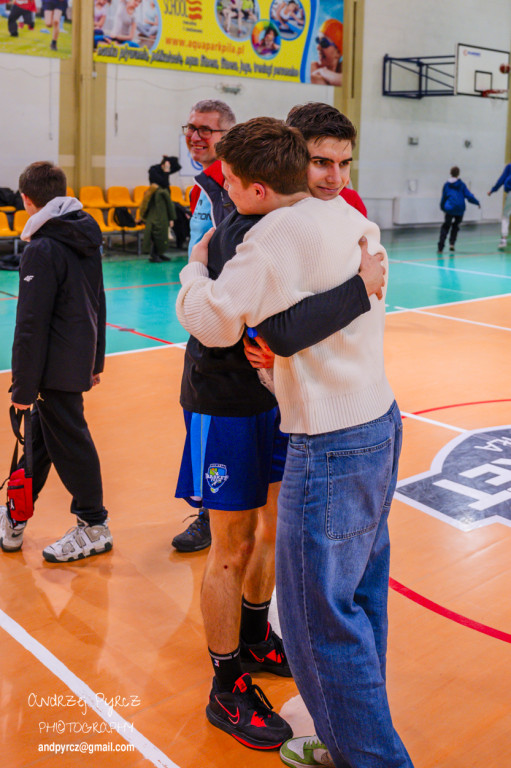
(36, 27)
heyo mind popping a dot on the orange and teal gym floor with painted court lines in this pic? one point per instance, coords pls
(109, 654)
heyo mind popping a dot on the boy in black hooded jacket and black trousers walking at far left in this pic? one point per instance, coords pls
(58, 353)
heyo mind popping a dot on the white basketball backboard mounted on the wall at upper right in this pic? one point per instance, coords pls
(482, 72)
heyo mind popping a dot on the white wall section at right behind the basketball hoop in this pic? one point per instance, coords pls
(402, 181)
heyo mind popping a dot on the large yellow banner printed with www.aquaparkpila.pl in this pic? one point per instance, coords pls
(298, 41)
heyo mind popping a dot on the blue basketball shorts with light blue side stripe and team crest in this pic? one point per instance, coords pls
(228, 462)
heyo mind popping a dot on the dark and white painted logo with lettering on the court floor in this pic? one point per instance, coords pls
(469, 483)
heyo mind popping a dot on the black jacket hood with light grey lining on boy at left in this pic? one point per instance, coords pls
(69, 225)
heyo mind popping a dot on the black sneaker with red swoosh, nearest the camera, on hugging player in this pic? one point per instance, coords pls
(247, 715)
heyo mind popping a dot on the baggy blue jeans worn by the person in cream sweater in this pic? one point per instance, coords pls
(332, 565)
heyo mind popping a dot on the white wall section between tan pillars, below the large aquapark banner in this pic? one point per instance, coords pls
(147, 107)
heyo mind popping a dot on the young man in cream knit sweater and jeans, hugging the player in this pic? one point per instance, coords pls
(345, 435)
